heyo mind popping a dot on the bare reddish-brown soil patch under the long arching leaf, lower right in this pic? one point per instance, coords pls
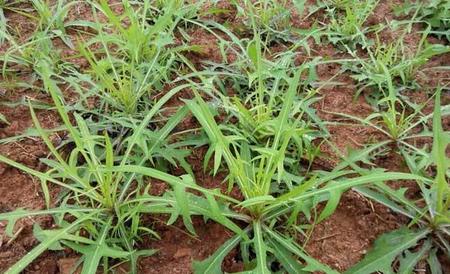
(342, 240)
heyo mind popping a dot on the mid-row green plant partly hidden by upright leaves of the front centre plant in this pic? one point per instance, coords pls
(259, 86)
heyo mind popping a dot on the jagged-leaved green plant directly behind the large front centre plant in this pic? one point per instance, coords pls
(258, 85)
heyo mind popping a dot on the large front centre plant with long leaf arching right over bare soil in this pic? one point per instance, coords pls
(257, 170)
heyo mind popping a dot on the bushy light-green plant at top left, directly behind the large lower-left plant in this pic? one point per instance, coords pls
(143, 58)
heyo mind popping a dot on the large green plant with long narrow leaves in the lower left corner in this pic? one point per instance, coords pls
(103, 192)
